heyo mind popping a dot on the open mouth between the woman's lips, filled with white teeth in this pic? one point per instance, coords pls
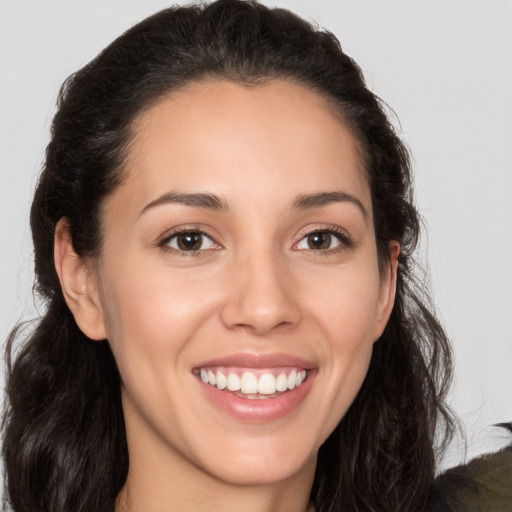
(253, 384)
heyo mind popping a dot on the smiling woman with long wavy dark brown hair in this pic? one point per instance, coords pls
(223, 233)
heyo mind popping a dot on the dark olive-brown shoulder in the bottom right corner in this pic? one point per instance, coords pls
(484, 484)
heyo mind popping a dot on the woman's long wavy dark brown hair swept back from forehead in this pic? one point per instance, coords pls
(64, 439)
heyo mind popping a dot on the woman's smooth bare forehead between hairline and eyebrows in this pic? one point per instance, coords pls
(231, 139)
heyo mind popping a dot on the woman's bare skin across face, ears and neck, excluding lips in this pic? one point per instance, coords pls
(256, 287)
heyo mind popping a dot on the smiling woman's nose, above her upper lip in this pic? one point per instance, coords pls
(261, 297)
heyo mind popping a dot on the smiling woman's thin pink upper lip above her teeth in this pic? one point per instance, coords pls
(251, 360)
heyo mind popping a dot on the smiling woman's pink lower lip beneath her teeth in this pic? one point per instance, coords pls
(258, 410)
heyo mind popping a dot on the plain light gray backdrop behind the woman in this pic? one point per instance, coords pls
(444, 66)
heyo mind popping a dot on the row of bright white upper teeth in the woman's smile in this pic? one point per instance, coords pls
(249, 384)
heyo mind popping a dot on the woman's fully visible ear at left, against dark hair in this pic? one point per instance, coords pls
(79, 284)
